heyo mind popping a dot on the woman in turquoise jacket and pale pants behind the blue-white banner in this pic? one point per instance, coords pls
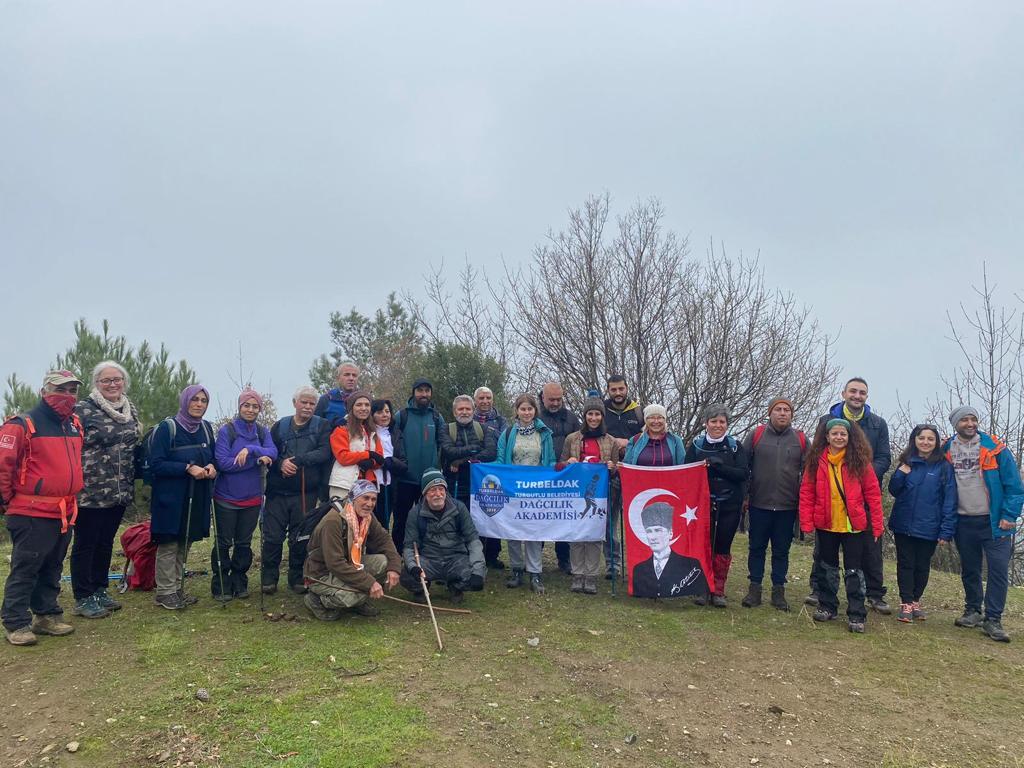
(527, 442)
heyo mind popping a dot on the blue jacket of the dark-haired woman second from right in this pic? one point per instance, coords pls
(926, 501)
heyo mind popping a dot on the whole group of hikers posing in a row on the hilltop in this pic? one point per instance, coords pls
(370, 497)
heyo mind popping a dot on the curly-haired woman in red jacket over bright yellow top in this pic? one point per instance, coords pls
(840, 500)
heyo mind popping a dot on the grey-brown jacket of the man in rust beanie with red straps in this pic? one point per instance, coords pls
(777, 463)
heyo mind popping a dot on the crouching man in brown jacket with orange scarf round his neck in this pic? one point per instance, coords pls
(351, 557)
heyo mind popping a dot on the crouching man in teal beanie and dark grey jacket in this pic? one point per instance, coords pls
(450, 548)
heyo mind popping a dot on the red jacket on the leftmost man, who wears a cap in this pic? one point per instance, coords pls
(41, 465)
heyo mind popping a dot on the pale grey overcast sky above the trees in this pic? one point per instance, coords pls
(205, 175)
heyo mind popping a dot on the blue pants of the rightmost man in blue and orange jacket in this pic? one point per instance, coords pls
(974, 539)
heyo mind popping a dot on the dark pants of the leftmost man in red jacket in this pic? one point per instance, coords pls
(36, 563)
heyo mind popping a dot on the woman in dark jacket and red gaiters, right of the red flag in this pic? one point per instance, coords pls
(729, 468)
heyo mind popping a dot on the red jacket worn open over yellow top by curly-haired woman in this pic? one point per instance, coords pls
(863, 495)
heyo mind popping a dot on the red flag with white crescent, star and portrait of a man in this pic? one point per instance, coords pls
(667, 517)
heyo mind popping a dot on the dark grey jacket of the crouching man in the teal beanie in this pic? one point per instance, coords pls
(451, 535)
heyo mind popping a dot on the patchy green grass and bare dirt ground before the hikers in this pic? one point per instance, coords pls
(614, 681)
